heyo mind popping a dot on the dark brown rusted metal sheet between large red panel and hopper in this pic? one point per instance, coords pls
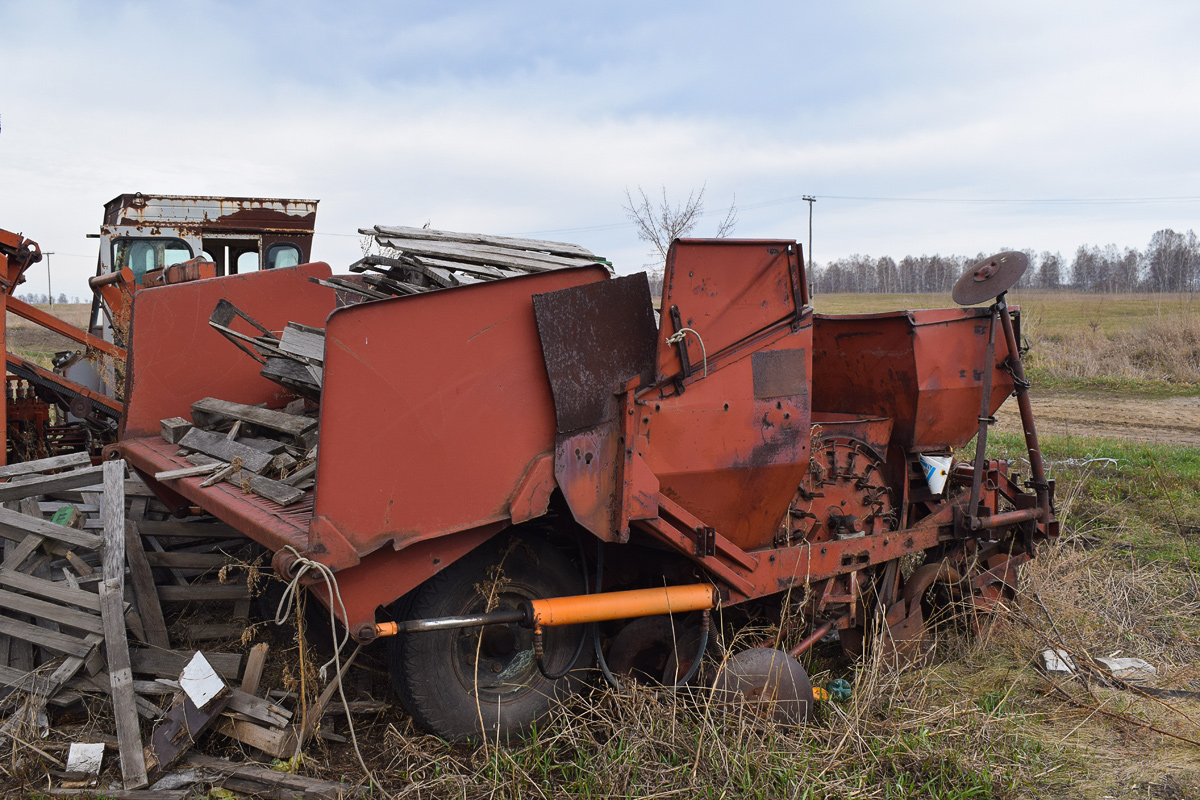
(595, 338)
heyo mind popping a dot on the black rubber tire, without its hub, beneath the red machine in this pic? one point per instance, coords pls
(427, 672)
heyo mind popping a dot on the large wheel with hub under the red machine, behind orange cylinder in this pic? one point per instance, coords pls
(452, 681)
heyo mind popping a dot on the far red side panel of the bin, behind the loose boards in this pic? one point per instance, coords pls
(177, 358)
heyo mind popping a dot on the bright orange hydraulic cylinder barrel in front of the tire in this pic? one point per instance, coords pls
(622, 605)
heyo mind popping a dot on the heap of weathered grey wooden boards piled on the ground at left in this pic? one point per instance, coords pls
(85, 582)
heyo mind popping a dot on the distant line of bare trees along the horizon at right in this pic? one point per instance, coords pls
(1171, 263)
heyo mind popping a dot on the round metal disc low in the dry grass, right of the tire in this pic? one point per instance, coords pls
(769, 683)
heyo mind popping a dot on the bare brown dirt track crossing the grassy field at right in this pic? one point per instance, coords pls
(1175, 420)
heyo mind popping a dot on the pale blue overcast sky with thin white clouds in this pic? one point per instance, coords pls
(533, 118)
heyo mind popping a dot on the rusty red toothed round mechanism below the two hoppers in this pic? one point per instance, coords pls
(843, 496)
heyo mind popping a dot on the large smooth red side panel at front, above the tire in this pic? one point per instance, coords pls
(434, 408)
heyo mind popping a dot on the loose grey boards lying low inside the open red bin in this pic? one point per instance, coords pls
(268, 453)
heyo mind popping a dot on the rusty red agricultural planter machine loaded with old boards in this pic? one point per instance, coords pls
(524, 478)
